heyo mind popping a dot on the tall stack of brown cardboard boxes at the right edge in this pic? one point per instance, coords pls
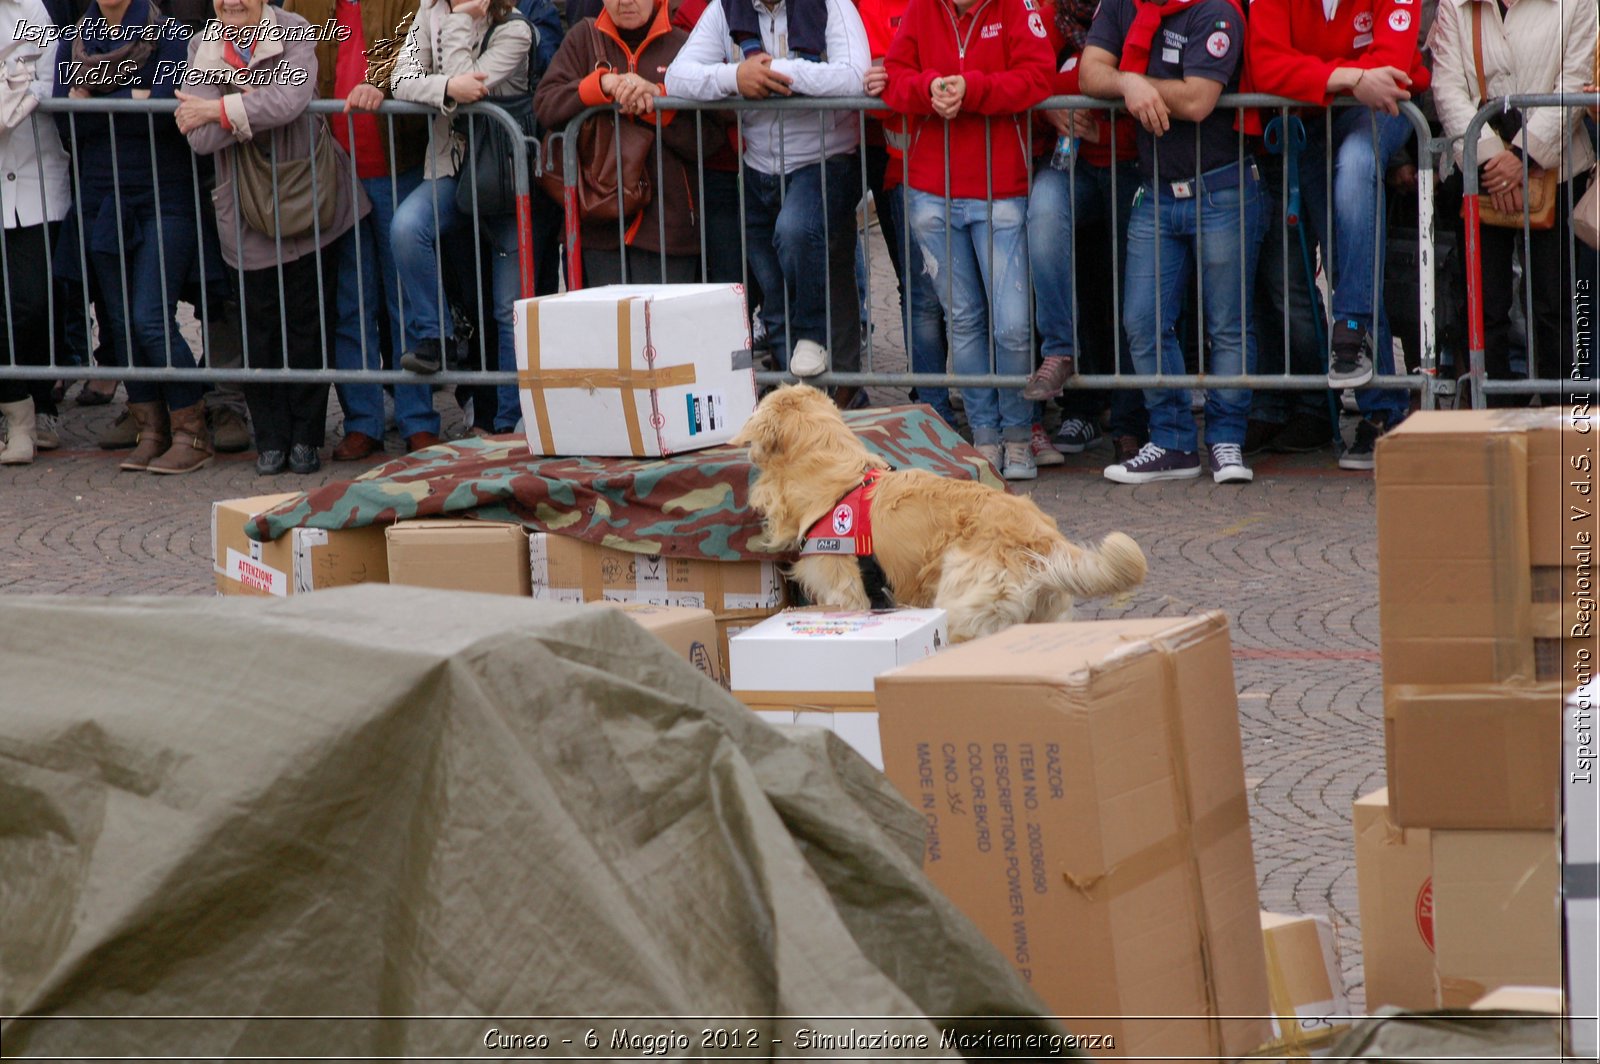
(1484, 598)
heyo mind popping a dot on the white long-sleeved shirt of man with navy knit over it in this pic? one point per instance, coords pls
(780, 142)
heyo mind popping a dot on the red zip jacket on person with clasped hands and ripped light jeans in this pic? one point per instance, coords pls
(1002, 49)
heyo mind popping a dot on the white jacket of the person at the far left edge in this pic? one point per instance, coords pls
(34, 185)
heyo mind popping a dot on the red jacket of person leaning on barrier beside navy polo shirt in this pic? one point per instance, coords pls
(1295, 46)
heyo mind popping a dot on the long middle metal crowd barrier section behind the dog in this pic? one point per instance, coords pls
(815, 110)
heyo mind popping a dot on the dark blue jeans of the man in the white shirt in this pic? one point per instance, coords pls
(799, 270)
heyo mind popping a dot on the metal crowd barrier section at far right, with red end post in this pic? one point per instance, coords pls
(1583, 266)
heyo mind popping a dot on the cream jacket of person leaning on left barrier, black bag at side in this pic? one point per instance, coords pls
(444, 44)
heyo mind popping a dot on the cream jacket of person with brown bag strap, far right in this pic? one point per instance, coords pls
(1540, 47)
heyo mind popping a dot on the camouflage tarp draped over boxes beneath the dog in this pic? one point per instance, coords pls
(690, 505)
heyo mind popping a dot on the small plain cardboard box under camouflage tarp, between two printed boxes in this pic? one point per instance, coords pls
(460, 556)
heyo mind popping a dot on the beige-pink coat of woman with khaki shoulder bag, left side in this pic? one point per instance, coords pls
(274, 110)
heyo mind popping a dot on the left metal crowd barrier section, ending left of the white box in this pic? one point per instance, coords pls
(206, 300)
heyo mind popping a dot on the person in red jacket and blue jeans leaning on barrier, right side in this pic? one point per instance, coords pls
(1314, 52)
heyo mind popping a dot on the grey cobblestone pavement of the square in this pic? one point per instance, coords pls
(1290, 559)
